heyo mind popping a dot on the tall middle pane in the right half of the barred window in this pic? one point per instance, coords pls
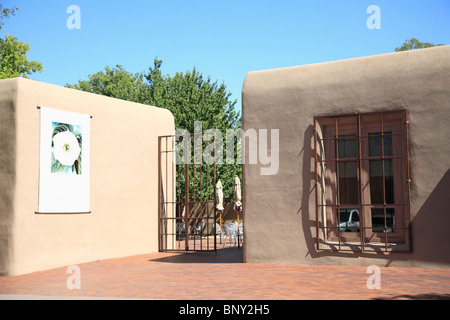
(376, 181)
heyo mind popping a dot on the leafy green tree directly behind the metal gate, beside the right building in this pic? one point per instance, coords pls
(192, 97)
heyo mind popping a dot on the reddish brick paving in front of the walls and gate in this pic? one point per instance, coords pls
(200, 276)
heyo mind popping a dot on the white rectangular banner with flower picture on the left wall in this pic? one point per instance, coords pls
(64, 162)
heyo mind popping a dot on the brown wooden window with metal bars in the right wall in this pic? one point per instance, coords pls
(362, 181)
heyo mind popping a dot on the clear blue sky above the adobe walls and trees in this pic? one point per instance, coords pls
(222, 39)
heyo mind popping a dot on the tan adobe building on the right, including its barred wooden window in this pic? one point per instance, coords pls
(364, 162)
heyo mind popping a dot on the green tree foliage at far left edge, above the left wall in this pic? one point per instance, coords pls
(13, 53)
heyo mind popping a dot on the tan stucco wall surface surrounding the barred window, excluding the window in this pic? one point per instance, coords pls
(280, 209)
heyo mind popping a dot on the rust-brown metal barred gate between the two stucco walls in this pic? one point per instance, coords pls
(187, 192)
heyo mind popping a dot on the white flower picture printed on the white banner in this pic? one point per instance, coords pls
(66, 148)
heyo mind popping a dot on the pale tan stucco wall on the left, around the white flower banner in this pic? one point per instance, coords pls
(123, 179)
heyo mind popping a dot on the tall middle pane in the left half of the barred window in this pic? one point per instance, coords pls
(348, 182)
